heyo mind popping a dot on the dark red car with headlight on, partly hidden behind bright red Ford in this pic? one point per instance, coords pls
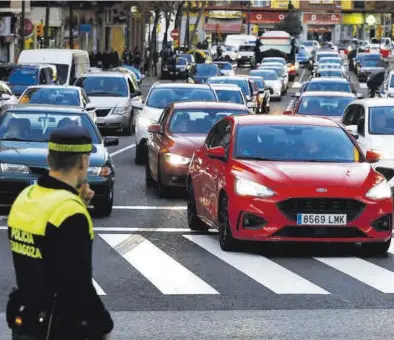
(181, 130)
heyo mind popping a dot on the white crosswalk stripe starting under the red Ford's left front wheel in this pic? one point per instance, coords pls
(266, 272)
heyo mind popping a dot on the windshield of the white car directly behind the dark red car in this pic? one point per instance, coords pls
(160, 98)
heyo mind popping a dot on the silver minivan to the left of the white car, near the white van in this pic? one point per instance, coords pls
(113, 95)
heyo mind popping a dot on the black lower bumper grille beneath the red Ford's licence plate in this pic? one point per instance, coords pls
(320, 232)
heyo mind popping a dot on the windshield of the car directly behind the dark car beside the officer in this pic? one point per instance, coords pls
(51, 96)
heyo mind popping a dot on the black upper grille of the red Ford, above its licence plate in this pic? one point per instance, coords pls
(291, 207)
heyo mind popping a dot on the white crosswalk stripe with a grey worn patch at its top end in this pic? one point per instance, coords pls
(166, 274)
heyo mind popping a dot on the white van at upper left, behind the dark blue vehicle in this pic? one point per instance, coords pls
(70, 64)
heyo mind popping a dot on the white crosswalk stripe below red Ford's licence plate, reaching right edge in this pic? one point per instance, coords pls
(363, 271)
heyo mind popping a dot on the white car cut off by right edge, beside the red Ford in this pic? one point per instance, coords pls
(371, 122)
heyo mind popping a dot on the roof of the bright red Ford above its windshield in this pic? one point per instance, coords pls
(286, 120)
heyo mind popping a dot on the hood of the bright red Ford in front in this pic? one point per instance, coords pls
(303, 174)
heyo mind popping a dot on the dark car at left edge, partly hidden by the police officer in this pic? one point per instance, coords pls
(24, 136)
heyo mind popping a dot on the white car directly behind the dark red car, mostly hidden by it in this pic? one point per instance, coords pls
(158, 98)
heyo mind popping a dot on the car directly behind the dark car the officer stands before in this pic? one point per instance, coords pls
(58, 95)
